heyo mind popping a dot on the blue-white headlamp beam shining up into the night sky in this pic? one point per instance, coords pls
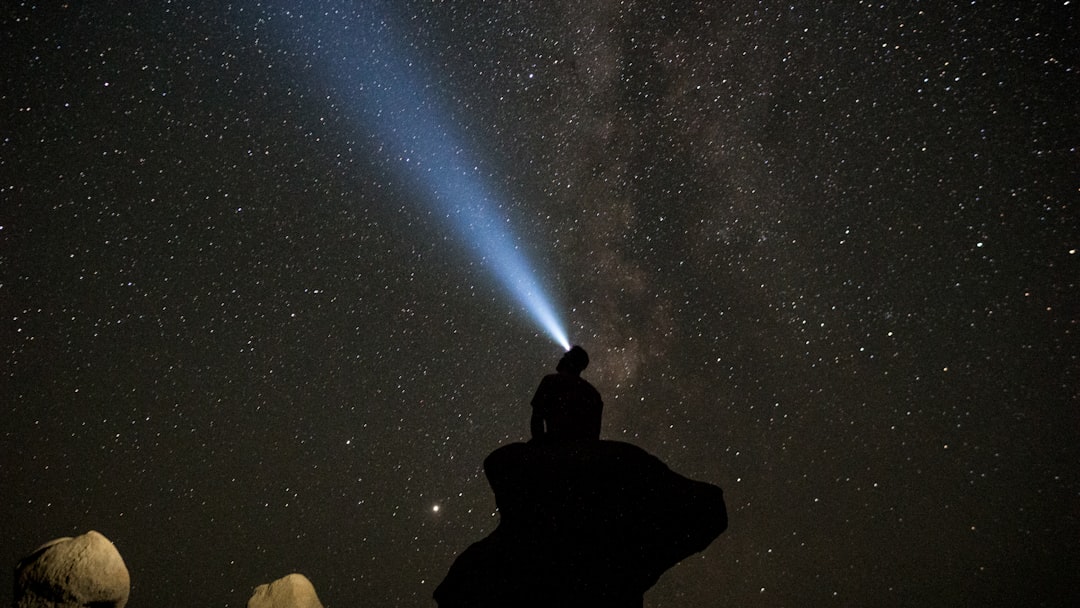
(359, 58)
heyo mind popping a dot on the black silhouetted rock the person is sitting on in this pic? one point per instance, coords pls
(583, 524)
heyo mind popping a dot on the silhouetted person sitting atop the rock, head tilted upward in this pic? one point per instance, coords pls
(566, 407)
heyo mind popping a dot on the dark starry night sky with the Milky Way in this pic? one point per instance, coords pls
(822, 255)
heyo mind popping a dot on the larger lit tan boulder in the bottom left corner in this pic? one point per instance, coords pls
(73, 573)
